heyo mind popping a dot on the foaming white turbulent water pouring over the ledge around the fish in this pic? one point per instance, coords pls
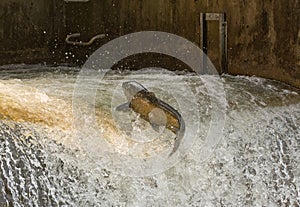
(47, 161)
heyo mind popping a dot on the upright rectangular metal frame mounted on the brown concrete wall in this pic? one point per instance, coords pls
(221, 17)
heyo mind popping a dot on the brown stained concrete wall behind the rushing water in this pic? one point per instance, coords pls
(263, 36)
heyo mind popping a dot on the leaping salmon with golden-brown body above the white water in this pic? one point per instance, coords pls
(153, 110)
